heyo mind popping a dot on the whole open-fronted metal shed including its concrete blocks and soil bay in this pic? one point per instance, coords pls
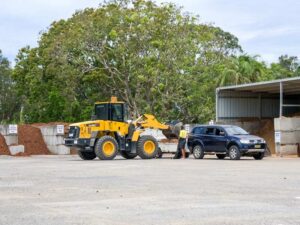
(269, 109)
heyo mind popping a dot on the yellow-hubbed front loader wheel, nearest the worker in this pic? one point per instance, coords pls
(147, 147)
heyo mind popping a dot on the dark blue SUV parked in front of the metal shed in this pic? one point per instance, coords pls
(225, 140)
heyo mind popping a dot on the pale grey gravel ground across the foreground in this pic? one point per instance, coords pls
(67, 190)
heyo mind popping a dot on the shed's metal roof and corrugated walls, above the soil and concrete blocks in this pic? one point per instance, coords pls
(269, 99)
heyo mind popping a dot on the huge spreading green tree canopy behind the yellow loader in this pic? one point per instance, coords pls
(154, 57)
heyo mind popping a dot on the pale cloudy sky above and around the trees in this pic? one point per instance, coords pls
(268, 28)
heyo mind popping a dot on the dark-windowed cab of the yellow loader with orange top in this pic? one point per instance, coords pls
(112, 111)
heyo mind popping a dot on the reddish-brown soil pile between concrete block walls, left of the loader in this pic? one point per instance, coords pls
(32, 139)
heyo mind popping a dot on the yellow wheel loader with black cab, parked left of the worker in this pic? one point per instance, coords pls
(111, 132)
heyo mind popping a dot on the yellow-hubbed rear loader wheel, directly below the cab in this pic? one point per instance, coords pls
(106, 148)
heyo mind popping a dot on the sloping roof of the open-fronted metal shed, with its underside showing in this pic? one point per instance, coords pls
(291, 86)
